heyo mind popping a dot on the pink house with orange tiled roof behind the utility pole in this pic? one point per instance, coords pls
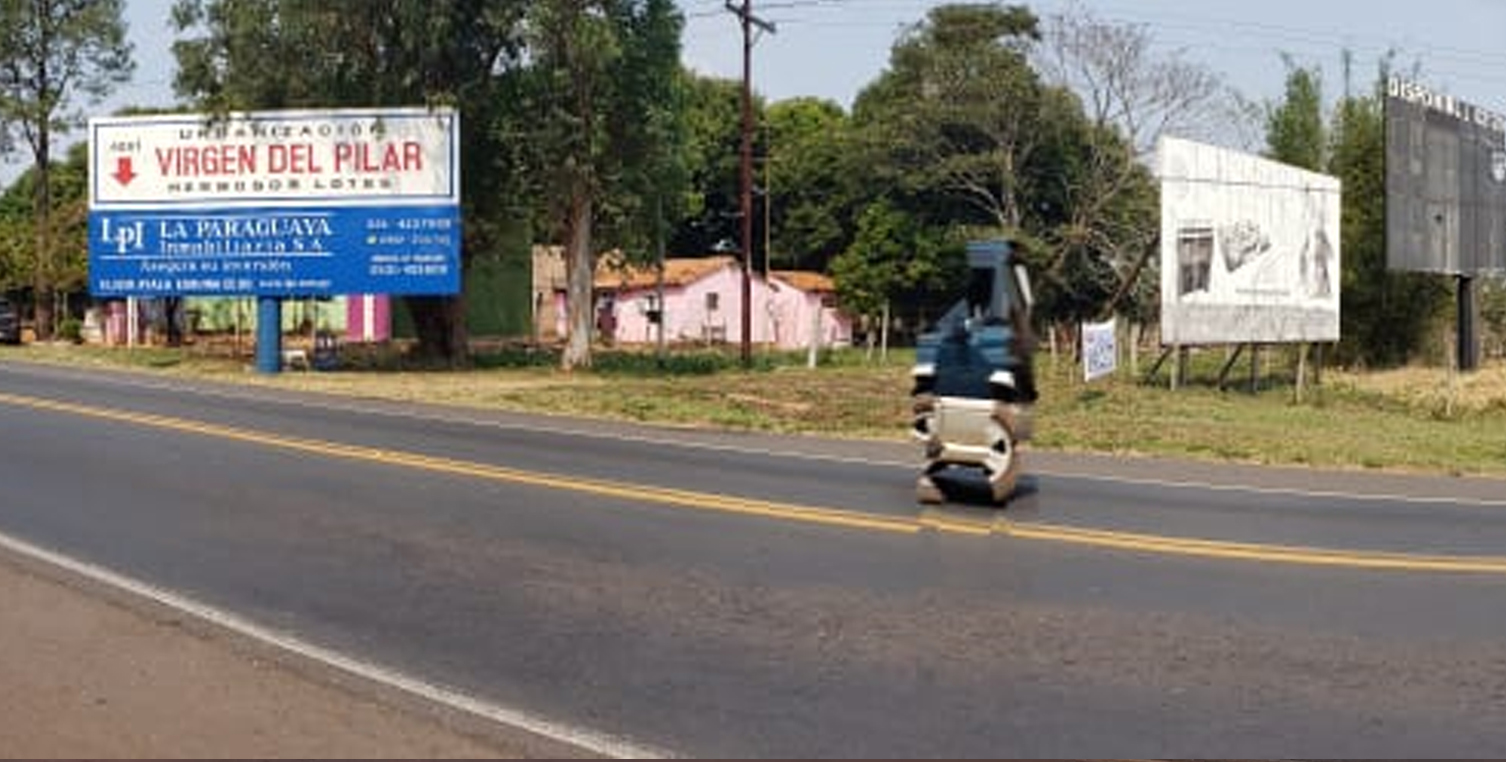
(704, 303)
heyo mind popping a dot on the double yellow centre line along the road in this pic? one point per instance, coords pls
(927, 522)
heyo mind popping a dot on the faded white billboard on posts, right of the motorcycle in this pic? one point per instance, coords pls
(1249, 249)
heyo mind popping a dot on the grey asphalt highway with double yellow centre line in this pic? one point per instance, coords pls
(651, 591)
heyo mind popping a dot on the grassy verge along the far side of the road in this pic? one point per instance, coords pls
(1413, 419)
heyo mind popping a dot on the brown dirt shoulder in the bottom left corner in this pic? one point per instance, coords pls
(93, 672)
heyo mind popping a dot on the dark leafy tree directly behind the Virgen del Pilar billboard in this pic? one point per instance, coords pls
(258, 55)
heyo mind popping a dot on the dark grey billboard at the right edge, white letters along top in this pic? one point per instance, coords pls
(1445, 183)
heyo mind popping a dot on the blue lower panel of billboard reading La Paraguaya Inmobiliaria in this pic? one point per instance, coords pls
(287, 252)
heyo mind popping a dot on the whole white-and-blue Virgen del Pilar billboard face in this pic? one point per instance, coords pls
(285, 204)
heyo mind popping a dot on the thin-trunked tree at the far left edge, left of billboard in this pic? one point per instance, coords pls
(53, 52)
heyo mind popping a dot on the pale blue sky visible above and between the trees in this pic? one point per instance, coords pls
(832, 49)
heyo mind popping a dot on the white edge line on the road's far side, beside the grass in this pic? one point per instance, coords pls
(344, 404)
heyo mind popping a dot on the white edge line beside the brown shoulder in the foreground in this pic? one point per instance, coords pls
(590, 740)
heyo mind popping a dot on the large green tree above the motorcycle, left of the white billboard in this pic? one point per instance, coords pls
(974, 139)
